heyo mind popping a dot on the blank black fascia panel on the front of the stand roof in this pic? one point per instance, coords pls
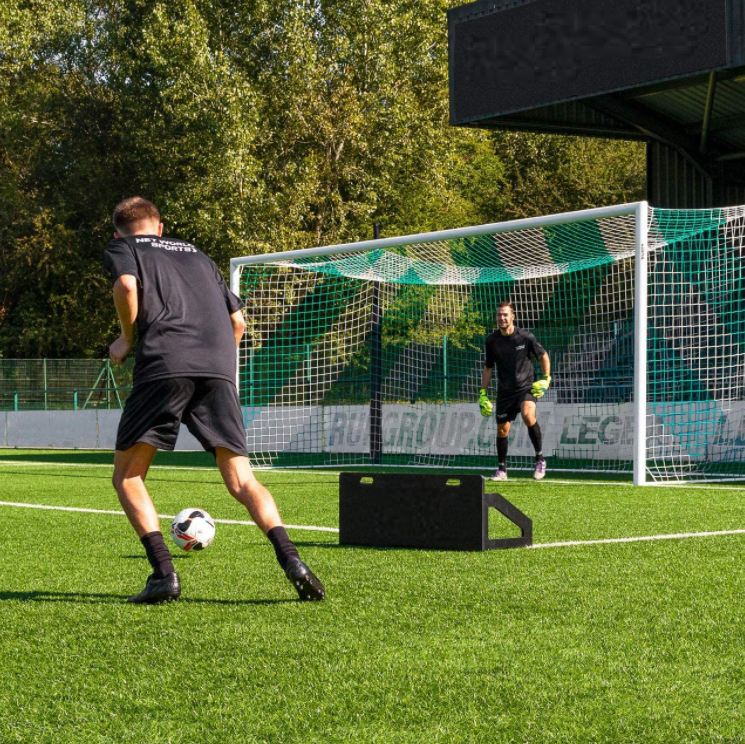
(545, 51)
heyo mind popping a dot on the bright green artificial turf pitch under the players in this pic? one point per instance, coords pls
(621, 642)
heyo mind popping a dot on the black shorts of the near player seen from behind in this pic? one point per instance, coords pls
(207, 406)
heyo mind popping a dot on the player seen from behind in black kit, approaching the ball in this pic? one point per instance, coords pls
(189, 325)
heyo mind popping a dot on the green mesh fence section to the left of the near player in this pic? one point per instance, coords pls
(63, 384)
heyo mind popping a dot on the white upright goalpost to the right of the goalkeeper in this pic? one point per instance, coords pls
(640, 347)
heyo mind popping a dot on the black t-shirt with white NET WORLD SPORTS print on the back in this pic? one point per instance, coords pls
(184, 308)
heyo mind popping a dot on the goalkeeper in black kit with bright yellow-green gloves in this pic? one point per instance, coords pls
(510, 349)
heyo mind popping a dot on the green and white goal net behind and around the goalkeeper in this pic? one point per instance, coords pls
(372, 353)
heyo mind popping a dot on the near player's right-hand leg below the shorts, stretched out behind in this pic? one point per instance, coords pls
(242, 484)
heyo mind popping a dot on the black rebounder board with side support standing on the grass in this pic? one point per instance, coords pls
(423, 511)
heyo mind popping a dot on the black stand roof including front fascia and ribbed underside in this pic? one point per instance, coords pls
(629, 69)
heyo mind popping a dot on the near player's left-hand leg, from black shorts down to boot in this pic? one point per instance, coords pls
(150, 421)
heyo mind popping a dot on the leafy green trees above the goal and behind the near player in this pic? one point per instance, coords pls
(255, 127)
